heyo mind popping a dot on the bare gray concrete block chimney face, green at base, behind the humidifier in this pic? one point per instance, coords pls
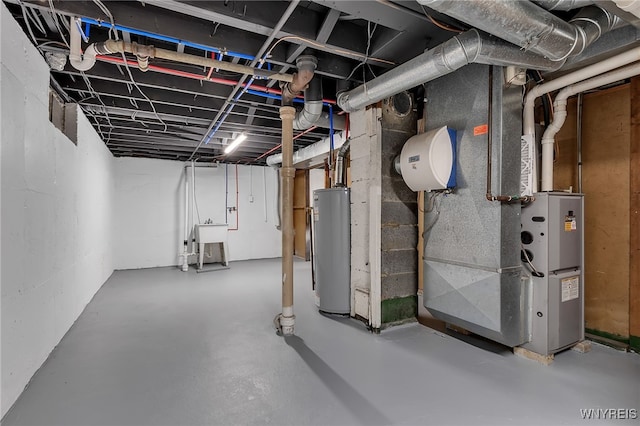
(399, 222)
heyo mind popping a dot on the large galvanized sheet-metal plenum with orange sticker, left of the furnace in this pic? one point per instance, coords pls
(472, 268)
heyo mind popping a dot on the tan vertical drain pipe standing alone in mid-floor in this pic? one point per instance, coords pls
(287, 318)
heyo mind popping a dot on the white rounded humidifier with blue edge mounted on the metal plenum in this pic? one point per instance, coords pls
(427, 161)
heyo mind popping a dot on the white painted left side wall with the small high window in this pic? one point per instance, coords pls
(56, 215)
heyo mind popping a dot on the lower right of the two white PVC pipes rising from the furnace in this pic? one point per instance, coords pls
(560, 114)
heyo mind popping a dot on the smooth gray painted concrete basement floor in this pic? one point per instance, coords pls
(161, 347)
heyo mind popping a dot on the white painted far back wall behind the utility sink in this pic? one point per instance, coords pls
(150, 210)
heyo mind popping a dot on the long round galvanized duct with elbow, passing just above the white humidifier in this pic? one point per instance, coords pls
(466, 48)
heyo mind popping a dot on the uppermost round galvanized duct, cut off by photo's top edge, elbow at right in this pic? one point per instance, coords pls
(529, 26)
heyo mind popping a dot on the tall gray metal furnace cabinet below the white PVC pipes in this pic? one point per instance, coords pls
(552, 239)
